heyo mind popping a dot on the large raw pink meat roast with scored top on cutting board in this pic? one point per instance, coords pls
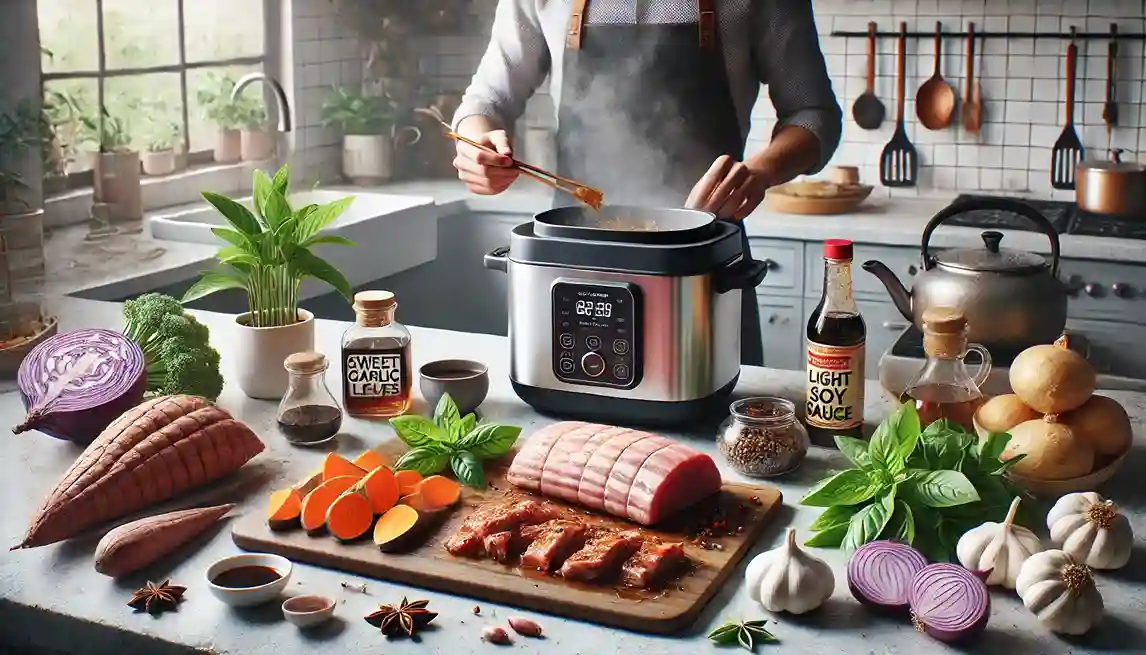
(627, 474)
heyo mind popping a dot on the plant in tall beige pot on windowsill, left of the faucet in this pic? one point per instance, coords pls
(117, 168)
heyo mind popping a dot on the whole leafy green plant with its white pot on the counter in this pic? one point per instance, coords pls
(269, 255)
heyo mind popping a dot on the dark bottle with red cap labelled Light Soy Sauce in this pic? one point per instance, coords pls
(836, 341)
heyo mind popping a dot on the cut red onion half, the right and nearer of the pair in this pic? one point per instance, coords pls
(949, 603)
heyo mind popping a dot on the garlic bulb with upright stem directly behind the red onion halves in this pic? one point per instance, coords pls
(999, 548)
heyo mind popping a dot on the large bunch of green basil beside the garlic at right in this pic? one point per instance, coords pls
(922, 487)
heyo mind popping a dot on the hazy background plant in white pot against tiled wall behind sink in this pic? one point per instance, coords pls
(370, 133)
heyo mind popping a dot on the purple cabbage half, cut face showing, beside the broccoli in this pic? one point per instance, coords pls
(76, 384)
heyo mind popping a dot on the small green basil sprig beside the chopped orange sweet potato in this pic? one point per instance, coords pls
(452, 440)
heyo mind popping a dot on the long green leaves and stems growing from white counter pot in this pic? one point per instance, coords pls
(269, 252)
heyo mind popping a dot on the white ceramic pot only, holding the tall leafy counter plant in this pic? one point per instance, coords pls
(261, 353)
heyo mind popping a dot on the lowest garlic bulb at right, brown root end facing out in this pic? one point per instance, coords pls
(1061, 593)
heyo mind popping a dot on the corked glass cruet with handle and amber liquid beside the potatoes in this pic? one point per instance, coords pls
(945, 388)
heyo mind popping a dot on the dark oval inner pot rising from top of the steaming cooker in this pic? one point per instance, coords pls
(626, 224)
